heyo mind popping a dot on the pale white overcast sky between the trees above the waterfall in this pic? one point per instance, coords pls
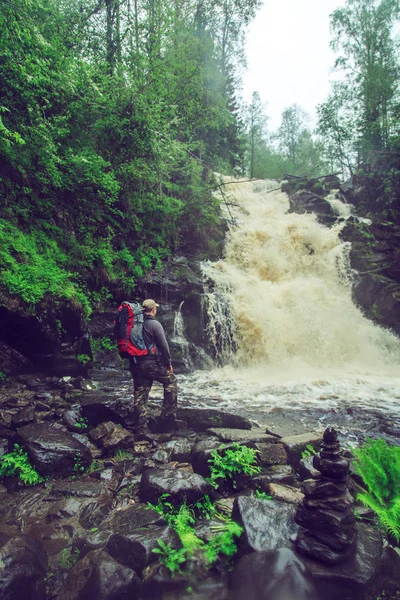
(289, 59)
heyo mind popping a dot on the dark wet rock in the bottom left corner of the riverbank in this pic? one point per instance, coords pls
(23, 567)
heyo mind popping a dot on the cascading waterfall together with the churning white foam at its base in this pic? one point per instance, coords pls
(300, 341)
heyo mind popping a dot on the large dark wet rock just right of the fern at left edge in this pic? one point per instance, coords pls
(52, 450)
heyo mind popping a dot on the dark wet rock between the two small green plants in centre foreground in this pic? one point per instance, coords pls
(180, 485)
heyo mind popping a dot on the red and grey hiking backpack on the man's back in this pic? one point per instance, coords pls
(129, 330)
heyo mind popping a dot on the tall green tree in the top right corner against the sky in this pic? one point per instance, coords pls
(363, 31)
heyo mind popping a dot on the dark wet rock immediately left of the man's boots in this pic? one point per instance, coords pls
(99, 408)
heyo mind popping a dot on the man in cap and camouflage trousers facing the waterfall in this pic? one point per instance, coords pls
(156, 365)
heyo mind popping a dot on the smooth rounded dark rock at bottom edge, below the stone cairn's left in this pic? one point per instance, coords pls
(272, 575)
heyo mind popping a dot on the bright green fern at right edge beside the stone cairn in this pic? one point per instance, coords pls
(378, 464)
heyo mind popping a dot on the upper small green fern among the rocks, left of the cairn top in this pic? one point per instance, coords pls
(225, 463)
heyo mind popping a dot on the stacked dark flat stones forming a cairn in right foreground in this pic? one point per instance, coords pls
(326, 517)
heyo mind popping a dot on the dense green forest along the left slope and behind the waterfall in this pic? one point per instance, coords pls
(115, 116)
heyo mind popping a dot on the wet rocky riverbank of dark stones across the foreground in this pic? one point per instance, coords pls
(86, 531)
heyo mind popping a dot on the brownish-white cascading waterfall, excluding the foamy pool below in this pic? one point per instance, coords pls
(282, 294)
